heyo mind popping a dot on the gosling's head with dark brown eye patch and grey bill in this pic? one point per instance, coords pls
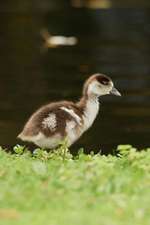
(98, 85)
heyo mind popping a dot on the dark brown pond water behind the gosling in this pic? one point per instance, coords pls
(115, 42)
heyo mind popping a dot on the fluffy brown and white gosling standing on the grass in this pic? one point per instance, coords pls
(57, 121)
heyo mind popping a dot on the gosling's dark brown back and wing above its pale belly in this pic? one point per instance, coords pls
(51, 119)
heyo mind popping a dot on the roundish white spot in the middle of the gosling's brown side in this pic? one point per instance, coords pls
(50, 122)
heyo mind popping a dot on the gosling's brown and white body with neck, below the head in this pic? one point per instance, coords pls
(52, 123)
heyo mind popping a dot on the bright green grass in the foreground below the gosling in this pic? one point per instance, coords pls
(55, 189)
